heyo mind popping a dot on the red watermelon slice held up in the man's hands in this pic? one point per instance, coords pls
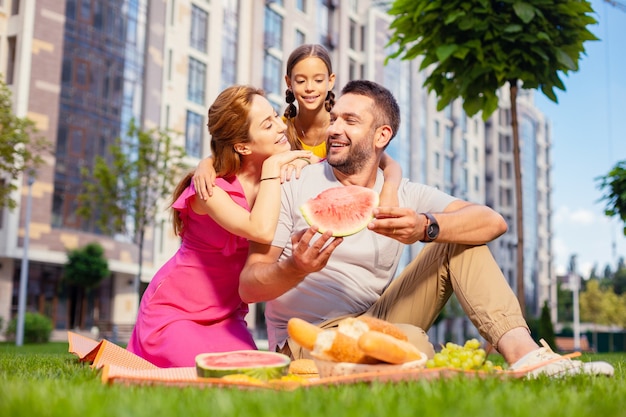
(344, 210)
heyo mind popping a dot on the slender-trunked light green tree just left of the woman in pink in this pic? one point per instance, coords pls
(123, 192)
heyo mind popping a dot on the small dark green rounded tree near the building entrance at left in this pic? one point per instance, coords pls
(85, 268)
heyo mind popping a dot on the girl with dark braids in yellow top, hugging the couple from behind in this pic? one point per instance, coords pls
(310, 80)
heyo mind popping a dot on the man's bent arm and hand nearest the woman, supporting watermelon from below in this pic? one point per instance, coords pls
(264, 277)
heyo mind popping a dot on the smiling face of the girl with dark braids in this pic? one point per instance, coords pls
(310, 82)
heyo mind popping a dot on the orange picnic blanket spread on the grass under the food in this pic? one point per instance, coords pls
(120, 366)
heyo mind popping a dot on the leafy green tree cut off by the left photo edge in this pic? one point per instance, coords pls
(21, 149)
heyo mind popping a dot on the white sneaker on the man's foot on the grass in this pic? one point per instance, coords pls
(544, 361)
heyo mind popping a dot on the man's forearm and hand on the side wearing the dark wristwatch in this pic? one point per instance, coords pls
(460, 222)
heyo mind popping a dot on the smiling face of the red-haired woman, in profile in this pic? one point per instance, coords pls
(267, 129)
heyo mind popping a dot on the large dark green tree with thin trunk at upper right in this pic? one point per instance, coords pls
(473, 48)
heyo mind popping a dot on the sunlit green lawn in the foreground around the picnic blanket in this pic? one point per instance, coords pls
(45, 380)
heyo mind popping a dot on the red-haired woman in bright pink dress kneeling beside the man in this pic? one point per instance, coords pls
(192, 305)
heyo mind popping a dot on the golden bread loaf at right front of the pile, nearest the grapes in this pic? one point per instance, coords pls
(387, 348)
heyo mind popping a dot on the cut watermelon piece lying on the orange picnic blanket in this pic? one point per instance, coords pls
(256, 368)
